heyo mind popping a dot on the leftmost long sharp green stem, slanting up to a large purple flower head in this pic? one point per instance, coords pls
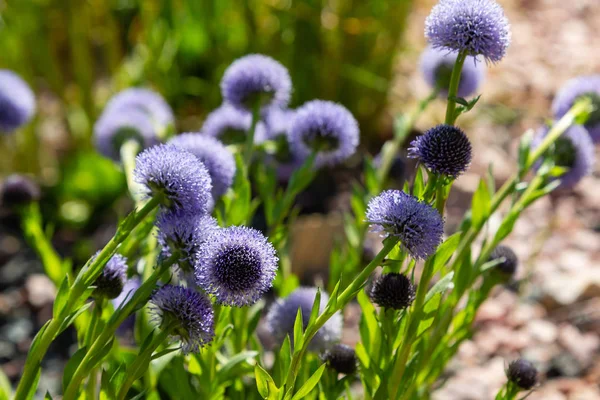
(85, 278)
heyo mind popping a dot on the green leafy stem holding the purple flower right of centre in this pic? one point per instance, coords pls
(340, 302)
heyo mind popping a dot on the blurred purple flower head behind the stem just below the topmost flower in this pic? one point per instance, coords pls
(437, 65)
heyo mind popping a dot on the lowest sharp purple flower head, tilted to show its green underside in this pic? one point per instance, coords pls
(188, 315)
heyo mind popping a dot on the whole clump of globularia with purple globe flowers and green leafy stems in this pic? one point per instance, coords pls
(201, 280)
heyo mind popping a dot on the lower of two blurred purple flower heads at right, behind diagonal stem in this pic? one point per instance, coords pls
(574, 151)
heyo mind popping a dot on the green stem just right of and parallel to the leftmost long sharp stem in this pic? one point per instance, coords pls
(107, 335)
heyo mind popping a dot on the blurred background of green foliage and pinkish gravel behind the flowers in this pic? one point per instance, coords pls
(75, 54)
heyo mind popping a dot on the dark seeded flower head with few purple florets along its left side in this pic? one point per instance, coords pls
(444, 149)
